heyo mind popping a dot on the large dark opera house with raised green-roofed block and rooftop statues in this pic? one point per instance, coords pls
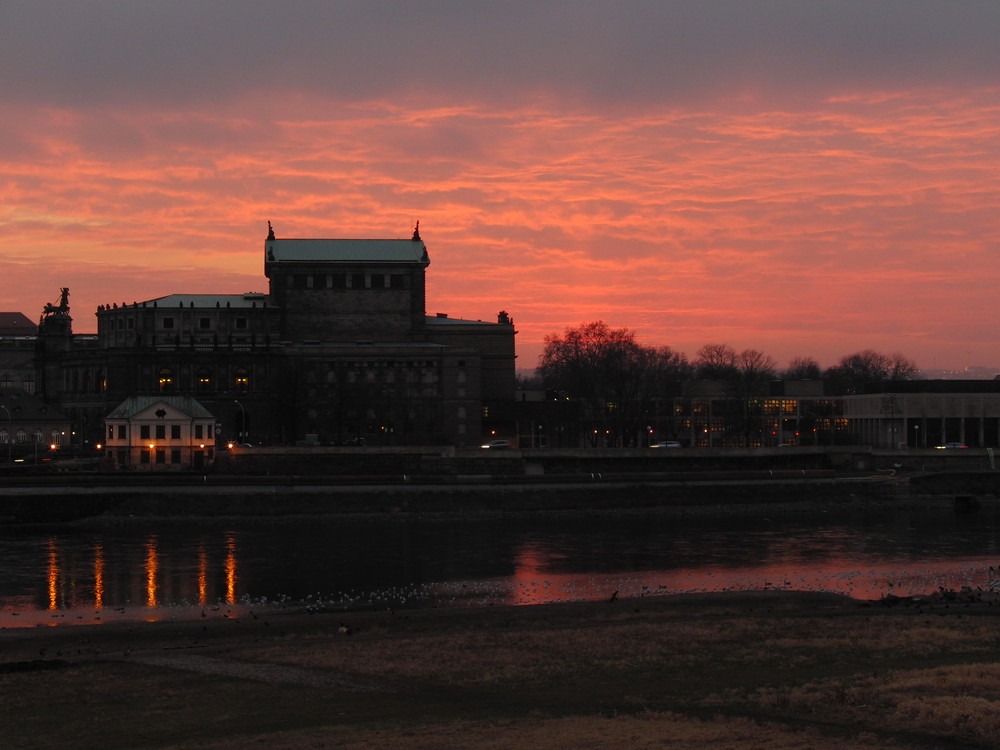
(338, 349)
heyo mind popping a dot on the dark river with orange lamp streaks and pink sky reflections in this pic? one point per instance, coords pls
(153, 570)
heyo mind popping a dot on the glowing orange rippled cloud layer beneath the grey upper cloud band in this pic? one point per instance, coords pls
(860, 221)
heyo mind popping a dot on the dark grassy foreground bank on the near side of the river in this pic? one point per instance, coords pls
(768, 670)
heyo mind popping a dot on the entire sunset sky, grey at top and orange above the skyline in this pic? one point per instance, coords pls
(807, 178)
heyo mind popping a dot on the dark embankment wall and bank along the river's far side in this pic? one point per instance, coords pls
(249, 483)
